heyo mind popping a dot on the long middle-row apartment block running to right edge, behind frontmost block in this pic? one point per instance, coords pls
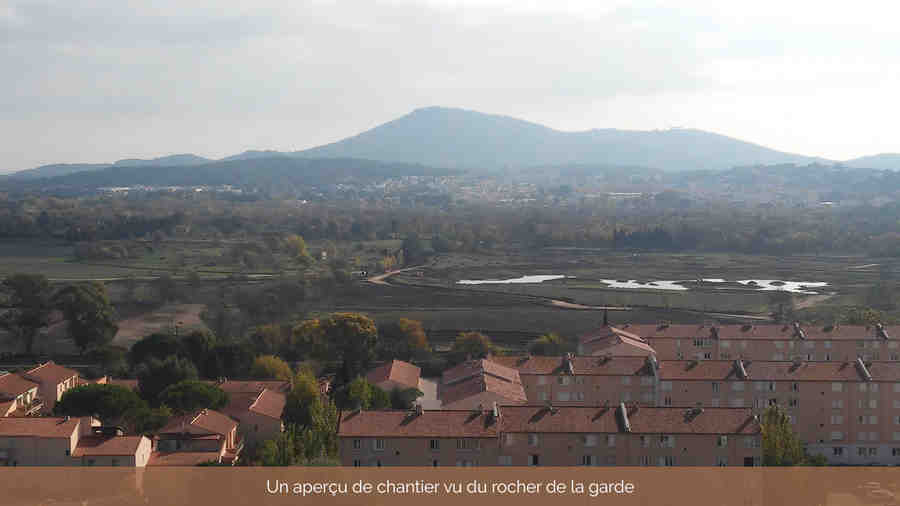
(848, 411)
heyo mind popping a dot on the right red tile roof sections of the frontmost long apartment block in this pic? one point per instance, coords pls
(644, 420)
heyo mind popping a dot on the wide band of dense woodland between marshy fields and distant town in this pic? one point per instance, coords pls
(712, 226)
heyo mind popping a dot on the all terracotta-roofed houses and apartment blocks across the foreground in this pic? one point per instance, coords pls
(633, 395)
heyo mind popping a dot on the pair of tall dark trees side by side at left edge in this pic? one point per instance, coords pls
(32, 300)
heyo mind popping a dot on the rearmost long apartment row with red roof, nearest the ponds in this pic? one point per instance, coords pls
(775, 342)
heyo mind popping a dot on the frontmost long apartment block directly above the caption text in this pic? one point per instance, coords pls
(551, 436)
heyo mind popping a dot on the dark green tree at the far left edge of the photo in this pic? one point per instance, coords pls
(29, 295)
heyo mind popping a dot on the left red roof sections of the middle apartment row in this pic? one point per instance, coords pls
(582, 365)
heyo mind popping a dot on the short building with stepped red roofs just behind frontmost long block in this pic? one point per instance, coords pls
(480, 383)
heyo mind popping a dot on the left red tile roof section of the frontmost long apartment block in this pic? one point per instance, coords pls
(445, 423)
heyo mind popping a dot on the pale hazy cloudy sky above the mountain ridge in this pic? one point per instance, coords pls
(96, 81)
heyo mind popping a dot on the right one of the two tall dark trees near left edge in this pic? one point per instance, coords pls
(90, 315)
